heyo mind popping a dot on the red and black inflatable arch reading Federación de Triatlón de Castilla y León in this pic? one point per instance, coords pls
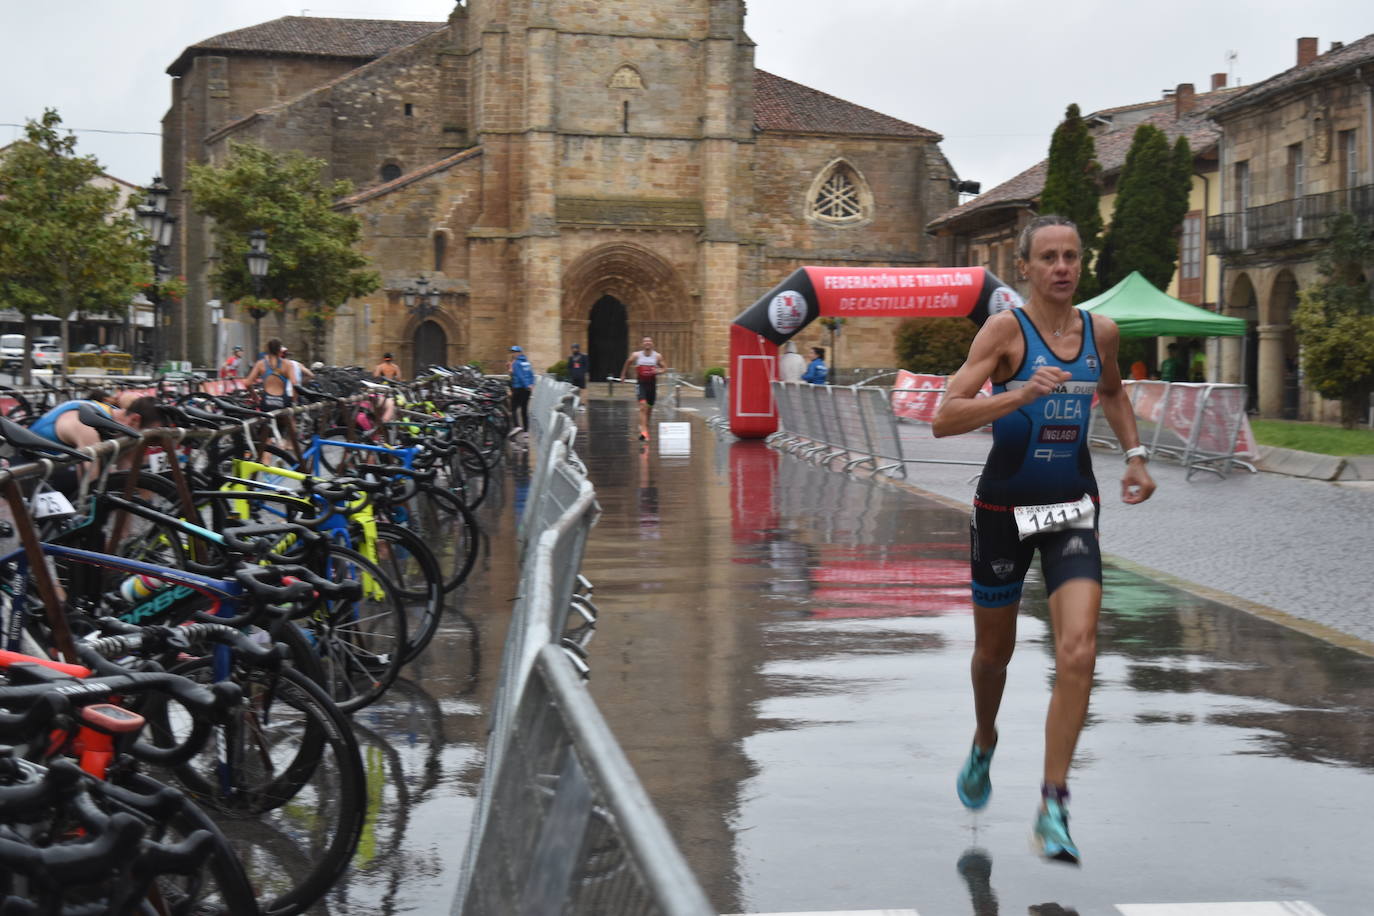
(813, 293)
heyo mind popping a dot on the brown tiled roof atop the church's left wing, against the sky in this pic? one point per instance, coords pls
(313, 36)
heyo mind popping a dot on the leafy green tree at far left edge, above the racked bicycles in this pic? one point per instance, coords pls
(65, 244)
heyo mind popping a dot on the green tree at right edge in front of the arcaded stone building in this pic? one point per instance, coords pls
(1335, 321)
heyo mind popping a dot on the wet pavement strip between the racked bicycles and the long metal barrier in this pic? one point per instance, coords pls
(424, 744)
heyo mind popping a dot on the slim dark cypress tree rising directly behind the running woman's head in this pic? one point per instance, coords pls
(1071, 190)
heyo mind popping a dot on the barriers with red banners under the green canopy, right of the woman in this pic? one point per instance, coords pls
(1199, 425)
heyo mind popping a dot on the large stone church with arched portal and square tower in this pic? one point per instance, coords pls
(560, 172)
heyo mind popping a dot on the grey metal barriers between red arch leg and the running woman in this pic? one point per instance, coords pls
(857, 425)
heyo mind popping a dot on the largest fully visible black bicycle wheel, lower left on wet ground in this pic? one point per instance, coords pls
(288, 764)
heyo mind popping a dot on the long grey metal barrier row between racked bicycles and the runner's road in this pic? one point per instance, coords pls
(563, 825)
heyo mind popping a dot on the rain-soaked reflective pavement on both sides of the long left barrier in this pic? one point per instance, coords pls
(784, 657)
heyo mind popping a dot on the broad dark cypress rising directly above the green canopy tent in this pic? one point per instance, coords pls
(1151, 205)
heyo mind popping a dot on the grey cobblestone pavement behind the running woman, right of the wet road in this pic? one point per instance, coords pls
(1292, 550)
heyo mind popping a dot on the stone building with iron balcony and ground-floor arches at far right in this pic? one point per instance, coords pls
(1295, 152)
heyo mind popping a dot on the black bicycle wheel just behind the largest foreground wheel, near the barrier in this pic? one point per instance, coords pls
(361, 642)
